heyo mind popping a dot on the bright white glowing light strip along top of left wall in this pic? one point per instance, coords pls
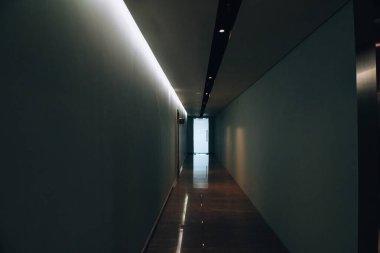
(125, 21)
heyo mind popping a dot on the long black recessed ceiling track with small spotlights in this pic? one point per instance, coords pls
(225, 20)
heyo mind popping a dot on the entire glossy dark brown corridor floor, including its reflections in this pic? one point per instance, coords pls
(208, 212)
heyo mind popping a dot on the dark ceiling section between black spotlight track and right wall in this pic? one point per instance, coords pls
(264, 32)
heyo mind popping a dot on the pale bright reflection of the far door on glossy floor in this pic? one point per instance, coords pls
(200, 171)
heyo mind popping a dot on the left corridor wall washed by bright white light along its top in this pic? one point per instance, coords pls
(87, 128)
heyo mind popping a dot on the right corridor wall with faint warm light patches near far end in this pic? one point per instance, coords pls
(290, 141)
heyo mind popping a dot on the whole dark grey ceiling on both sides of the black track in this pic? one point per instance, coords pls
(180, 33)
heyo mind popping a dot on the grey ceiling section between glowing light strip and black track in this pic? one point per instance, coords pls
(179, 33)
